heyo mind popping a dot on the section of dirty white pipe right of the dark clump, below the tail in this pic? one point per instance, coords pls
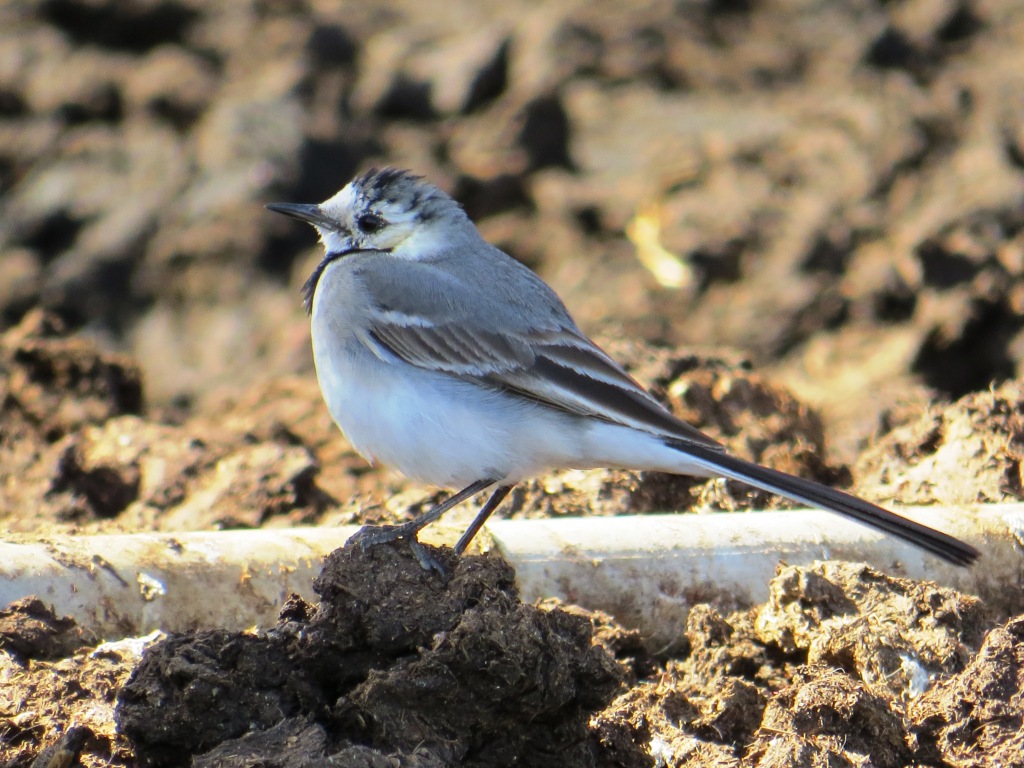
(649, 571)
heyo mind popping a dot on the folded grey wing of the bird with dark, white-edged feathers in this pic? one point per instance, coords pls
(514, 334)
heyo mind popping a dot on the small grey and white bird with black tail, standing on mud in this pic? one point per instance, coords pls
(443, 357)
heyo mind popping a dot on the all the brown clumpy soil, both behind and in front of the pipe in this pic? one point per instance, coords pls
(802, 228)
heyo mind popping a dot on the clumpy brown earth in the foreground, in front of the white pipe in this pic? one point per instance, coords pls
(843, 666)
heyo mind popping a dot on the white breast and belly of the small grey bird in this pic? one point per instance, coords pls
(431, 426)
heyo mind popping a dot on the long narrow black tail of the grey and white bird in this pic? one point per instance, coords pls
(940, 544)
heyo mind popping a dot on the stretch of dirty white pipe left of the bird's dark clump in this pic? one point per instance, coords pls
(129, 585)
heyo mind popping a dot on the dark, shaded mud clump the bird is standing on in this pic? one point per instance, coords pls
(396, 662)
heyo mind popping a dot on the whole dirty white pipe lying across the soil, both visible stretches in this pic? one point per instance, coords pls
(646, 571)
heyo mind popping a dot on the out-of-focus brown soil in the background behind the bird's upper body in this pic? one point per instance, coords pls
(832, 189)
